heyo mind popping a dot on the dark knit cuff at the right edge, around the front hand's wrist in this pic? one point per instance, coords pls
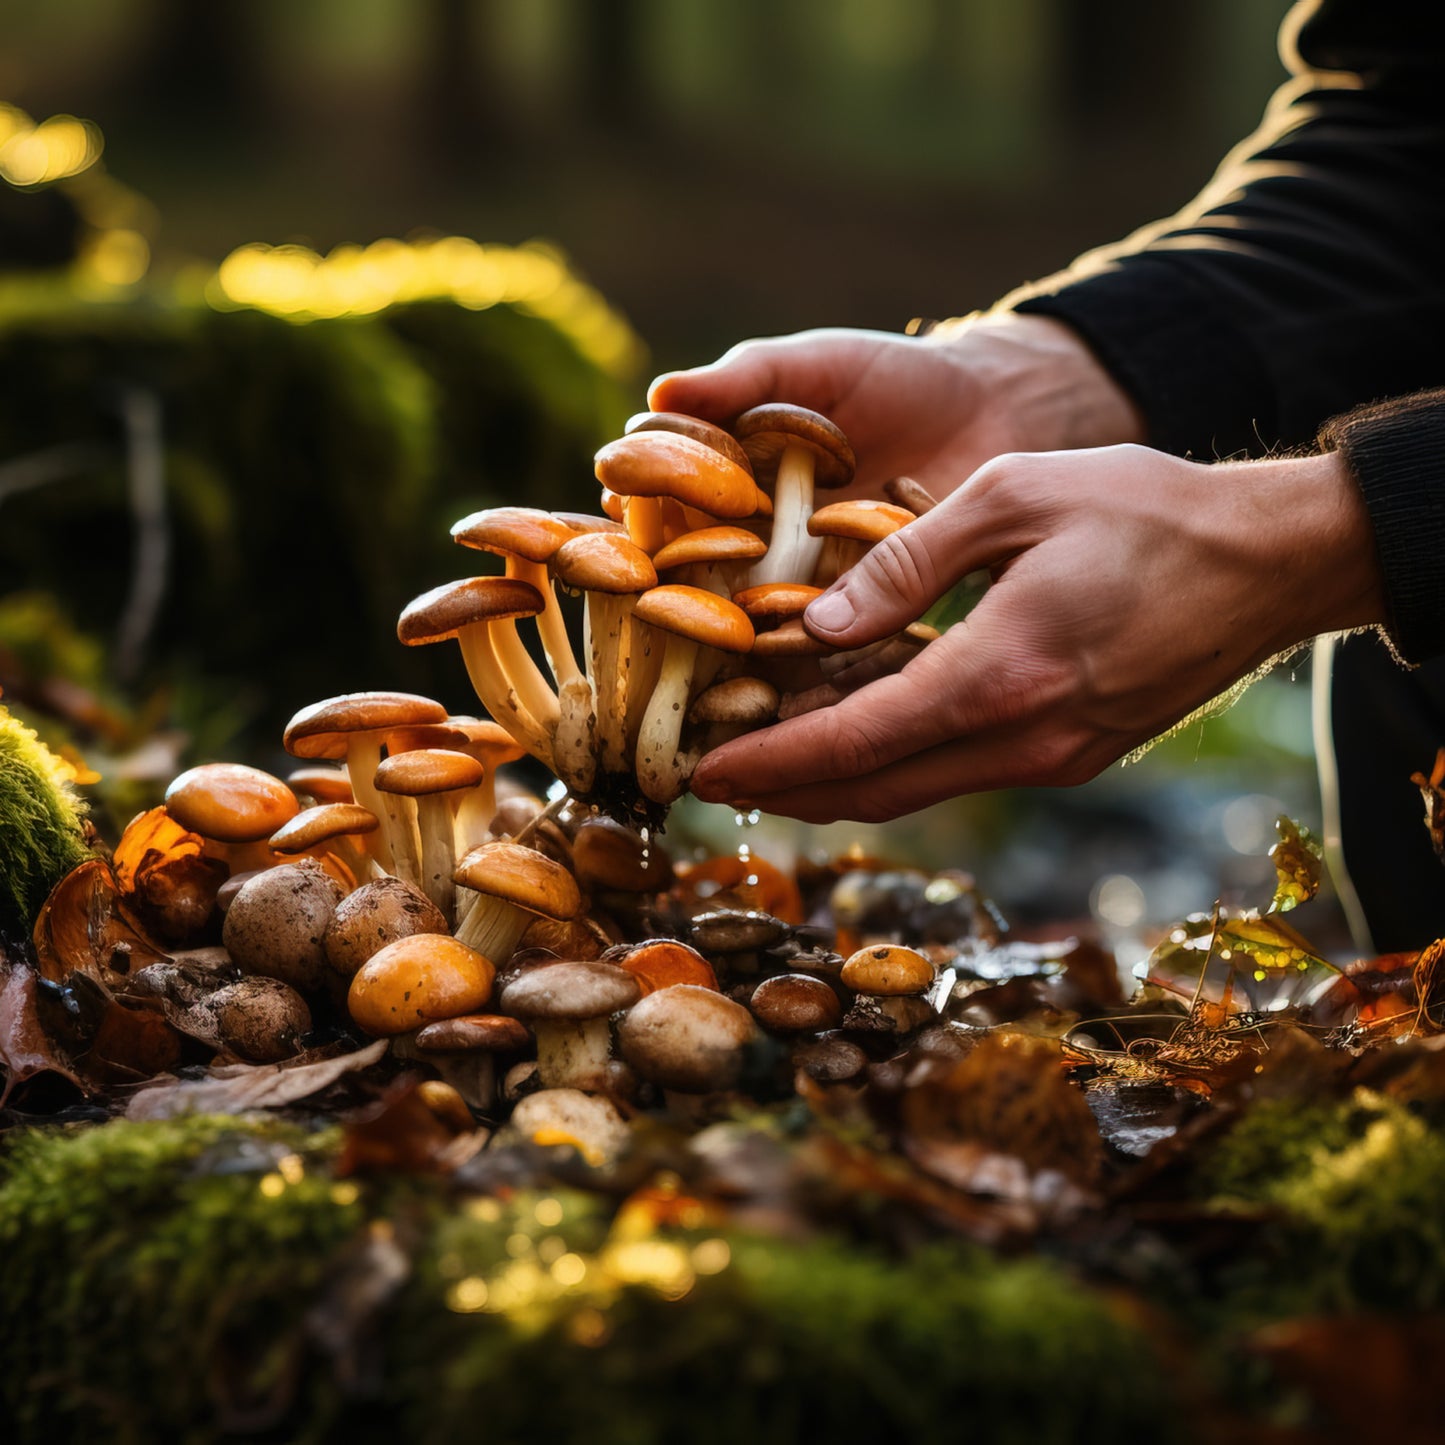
(1397, 452)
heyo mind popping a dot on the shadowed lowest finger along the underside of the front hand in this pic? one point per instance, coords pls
(982, 764)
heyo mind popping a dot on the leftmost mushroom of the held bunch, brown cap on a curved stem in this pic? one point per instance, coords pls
(480, 613)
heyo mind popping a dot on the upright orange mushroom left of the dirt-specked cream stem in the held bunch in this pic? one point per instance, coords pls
(612, 573)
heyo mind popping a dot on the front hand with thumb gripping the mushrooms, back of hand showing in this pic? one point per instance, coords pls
(1129, 590)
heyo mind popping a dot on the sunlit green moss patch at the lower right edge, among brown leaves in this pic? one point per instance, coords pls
(1359, 1187)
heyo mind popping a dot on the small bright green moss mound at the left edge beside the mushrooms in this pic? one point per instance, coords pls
(41, 832)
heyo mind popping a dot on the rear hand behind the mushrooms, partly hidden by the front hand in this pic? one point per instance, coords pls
(934, 408)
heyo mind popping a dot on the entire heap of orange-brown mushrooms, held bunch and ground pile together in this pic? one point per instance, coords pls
(551, 963)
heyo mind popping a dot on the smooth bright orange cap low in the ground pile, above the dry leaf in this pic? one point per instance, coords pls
(417, 980)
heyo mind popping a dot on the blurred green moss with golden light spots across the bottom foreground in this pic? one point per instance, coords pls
(167, 1281)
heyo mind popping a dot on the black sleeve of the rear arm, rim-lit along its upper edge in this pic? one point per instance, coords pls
(1310, 275)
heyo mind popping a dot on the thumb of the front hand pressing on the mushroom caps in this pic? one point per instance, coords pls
(901, 577)
